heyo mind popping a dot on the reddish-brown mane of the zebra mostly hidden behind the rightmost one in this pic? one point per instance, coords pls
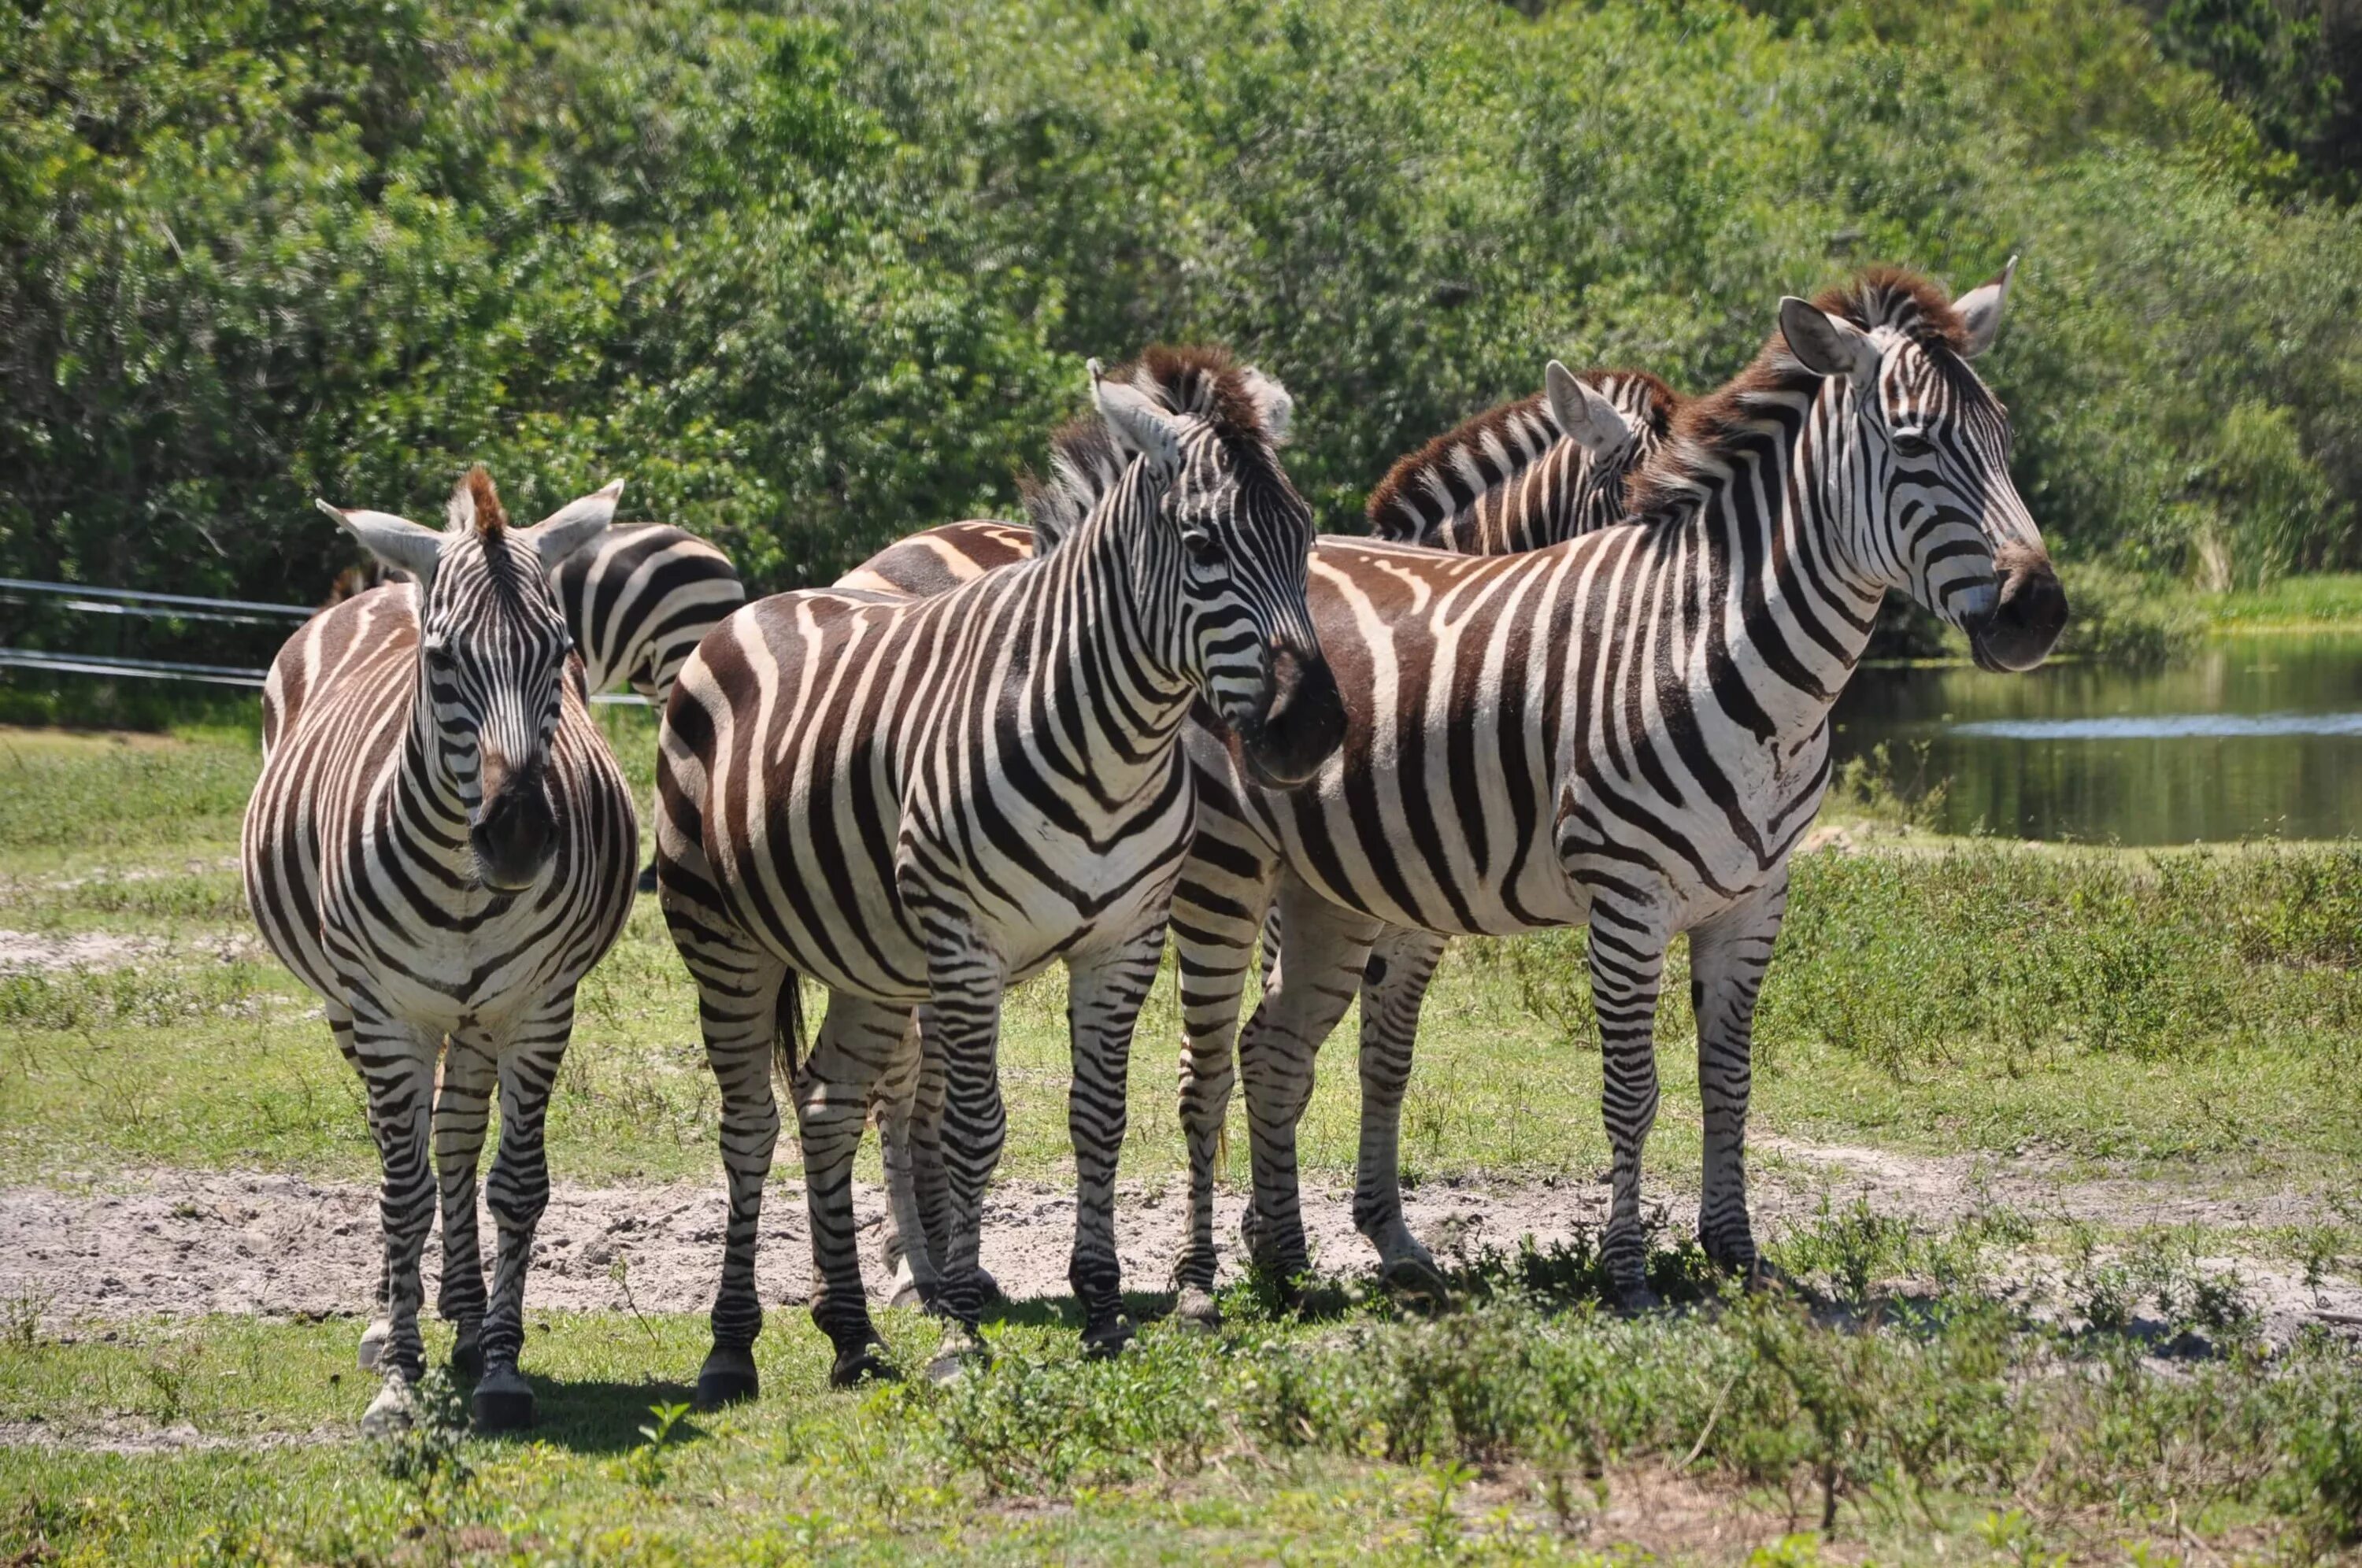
(1466, 464)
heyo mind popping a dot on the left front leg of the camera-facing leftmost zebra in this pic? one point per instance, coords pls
(398, 1066)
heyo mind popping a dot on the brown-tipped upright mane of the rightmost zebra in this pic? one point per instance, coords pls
(1716, 424)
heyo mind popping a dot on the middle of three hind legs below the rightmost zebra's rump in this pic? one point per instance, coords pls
(1307, 993)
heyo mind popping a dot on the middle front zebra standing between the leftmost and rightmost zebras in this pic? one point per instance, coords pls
(918, 802)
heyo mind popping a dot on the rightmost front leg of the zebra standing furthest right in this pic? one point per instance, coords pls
(1728, 962)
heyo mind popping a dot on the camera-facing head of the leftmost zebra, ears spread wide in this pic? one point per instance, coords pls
(492, 658)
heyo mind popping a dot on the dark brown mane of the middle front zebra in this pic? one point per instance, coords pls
(1244, 407)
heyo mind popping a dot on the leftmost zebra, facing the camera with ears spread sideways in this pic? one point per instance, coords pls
(443, 847)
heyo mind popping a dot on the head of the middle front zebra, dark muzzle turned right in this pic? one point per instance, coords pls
(1227, 554)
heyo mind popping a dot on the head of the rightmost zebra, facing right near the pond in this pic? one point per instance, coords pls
(1921, 457)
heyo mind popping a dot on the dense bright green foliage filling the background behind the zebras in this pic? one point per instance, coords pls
(816, 275)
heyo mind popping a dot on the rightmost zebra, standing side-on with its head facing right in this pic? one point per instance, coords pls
(1626, 733)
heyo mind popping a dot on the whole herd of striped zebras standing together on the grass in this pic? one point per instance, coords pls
(1579, 679)
